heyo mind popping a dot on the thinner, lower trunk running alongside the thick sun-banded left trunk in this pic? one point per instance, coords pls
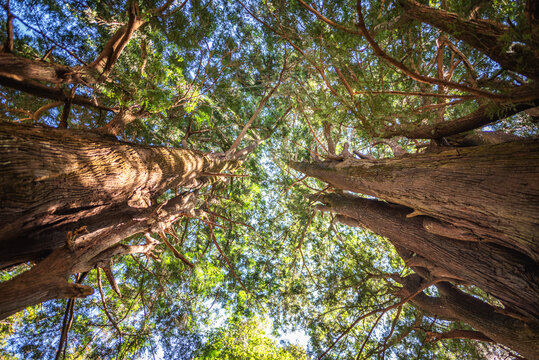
(49, 279)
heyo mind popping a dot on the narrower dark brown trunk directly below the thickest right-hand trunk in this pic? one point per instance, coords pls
(508, 275)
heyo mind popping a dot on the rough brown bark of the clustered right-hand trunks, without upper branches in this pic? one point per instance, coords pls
(467, 215)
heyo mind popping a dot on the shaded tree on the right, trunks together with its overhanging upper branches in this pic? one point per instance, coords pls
(433, 204)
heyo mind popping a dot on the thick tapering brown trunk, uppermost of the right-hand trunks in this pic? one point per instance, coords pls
(489, 192)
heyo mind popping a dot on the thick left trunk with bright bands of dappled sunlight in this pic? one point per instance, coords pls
(53, 180)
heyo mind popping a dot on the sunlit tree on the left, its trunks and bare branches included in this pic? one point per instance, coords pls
(73, 195)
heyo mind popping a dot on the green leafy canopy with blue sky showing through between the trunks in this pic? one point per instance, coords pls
(199, 75)
